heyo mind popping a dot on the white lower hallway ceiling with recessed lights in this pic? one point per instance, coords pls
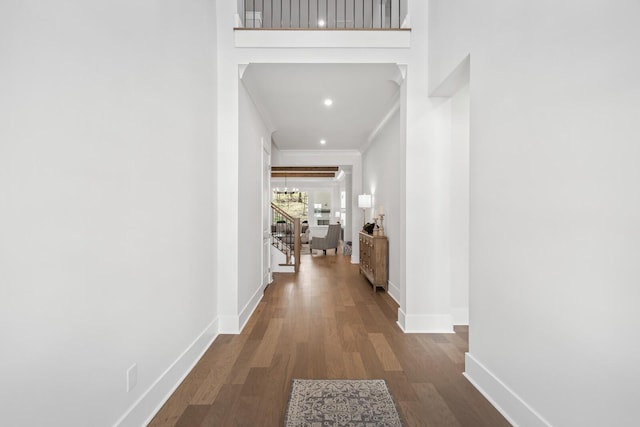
(291, 99)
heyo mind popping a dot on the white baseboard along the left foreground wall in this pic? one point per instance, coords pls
(148, 405)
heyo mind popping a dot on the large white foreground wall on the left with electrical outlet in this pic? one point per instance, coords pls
(107, 132)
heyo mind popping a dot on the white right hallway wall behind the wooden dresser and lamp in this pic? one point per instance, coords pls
(381, 174)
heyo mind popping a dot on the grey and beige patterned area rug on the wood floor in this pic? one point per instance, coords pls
(353, 403)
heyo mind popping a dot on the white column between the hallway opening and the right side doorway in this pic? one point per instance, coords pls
(425, 301)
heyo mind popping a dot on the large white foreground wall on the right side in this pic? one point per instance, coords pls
(554, 207)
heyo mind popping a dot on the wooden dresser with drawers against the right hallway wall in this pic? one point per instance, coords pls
(374, 259)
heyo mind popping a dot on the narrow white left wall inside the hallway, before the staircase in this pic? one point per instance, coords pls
(251, 134)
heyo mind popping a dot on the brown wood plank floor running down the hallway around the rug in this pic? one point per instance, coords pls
(325, 322)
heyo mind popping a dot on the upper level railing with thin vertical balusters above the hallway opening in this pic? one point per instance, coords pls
(323, 14)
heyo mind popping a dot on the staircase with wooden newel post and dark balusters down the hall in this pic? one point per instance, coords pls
(285, 241)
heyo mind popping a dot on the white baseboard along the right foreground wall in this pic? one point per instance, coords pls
(508, 403)
